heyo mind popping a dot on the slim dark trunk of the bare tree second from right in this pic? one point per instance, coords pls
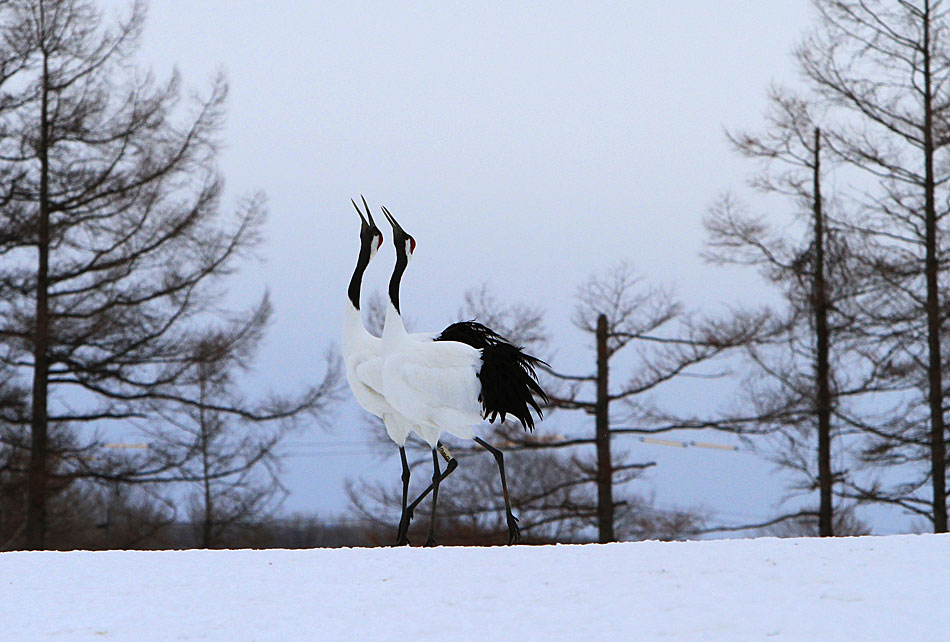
(822, 341)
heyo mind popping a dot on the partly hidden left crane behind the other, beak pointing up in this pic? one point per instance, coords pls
(361, 352)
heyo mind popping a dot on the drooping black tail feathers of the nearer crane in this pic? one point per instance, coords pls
(508, 377)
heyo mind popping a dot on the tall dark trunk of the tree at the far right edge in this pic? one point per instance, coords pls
(938, 455)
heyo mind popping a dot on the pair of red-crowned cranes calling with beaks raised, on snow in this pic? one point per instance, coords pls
(434, 383)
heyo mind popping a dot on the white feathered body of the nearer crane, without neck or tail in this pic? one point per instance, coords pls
(432, 384)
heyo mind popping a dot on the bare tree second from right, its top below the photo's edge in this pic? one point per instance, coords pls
(818, 361)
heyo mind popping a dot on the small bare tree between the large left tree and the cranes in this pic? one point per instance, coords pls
(225, 444)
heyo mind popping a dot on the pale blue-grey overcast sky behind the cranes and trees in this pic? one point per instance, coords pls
(524, 144)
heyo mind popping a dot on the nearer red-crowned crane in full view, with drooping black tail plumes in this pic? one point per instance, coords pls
(468, 374)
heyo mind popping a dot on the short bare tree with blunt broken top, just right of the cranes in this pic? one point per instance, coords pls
(617, 310)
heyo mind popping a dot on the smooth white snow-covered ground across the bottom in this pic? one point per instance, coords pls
(867, 588)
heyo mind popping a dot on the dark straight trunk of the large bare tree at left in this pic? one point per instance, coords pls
(38, 477)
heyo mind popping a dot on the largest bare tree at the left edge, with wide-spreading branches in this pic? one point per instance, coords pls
(113, 238)
